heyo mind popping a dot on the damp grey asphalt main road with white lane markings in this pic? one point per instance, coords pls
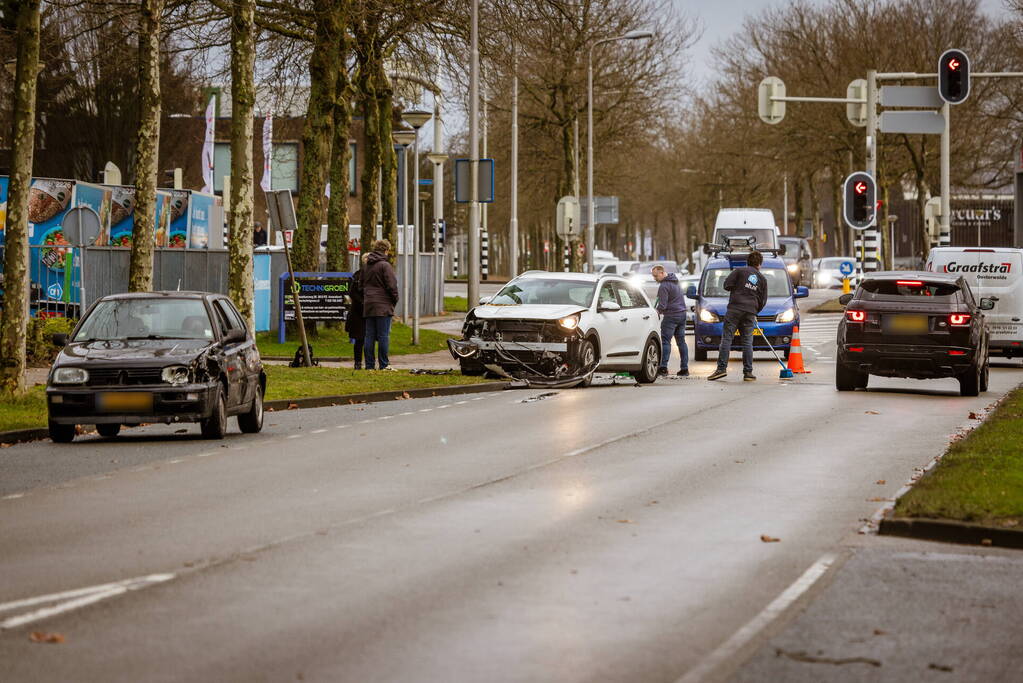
(609, 534)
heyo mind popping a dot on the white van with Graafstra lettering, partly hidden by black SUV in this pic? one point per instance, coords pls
(993, 274)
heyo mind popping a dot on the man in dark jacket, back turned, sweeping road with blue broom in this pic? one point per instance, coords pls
(747, 289)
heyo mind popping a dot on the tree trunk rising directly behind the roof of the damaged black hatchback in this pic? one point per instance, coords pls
(147, 148)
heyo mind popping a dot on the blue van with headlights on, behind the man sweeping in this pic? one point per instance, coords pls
(777, 320)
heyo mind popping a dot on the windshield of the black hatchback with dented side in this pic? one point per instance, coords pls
(120, 320)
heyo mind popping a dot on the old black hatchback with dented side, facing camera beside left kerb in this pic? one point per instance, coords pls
(157, 357)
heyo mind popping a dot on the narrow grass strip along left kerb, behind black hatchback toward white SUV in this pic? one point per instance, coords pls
(29, 413)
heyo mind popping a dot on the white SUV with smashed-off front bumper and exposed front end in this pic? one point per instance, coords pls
(557, 330)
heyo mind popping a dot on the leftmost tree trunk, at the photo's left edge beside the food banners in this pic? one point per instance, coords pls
(15, 317)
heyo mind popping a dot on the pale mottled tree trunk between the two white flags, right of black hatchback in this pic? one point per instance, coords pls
(240, 272)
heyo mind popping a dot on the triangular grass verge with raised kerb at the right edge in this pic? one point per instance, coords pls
(981, 479)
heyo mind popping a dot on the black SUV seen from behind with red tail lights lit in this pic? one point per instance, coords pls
(913, 325)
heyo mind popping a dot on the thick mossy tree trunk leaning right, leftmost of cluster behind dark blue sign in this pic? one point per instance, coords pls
(325, 65)
